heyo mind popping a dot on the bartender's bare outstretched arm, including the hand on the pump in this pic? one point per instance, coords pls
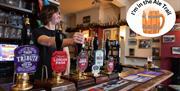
(50, 41)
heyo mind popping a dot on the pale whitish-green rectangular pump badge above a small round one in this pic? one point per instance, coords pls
(99, 57)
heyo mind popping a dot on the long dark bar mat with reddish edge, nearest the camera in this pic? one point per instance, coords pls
(113, 85)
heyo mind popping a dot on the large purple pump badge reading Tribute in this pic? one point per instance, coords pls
(26, 58)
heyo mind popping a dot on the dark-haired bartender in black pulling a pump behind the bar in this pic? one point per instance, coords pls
(44, 39)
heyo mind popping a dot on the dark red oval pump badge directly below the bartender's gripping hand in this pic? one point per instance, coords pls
(82, 61)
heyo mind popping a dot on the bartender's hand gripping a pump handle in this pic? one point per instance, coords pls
(78, 38)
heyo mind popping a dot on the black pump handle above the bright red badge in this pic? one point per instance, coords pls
(59, 40)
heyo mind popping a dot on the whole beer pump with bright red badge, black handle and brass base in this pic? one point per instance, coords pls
(57, 65)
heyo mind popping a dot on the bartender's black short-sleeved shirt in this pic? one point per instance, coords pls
(45, 52)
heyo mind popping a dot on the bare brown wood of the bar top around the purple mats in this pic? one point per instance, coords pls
(146, 86)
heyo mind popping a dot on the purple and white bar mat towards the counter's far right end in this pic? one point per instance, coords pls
(143, 76)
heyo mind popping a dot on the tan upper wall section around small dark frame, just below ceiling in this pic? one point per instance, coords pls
(93, 13)
